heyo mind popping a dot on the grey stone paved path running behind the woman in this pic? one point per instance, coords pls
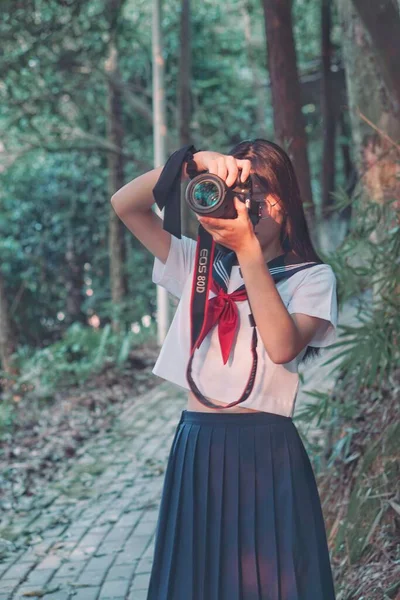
(90, 536)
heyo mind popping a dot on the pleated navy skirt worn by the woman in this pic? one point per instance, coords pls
(240, 515)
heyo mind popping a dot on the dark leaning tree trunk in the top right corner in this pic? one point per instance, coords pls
(381, 20)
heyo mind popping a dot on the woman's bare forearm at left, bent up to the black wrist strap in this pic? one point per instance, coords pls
(137, 195)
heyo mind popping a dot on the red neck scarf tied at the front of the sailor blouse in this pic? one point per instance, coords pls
(222, 309)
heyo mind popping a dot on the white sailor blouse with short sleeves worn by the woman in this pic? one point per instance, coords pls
(311, 291)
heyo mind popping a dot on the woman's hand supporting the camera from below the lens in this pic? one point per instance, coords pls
(236, 234)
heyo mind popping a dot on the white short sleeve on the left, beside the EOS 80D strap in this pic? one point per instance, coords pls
(174, 273)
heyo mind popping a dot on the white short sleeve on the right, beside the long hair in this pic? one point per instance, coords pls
(316, 296)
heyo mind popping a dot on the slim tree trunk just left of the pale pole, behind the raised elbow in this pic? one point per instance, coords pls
(115, 165)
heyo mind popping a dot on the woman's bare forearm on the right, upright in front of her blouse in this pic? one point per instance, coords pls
(275, 325)
